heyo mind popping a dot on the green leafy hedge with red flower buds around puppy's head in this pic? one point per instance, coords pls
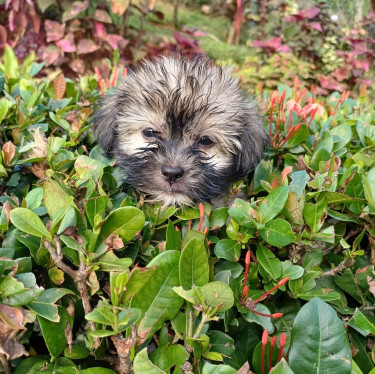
(93, 278)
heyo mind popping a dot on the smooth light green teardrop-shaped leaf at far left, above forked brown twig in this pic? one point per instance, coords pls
(27, 221)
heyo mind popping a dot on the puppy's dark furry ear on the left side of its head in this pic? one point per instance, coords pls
(104, 120)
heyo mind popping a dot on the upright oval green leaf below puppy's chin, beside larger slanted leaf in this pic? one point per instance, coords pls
(194, 268)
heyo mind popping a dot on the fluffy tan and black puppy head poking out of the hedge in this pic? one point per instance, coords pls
(182, 130)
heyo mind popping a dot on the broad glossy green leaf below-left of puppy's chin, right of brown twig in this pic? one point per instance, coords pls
(125, 222)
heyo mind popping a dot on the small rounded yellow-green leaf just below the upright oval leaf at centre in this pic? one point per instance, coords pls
(216, 293)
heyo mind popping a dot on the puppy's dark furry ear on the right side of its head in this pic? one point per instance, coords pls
(253, 141)
